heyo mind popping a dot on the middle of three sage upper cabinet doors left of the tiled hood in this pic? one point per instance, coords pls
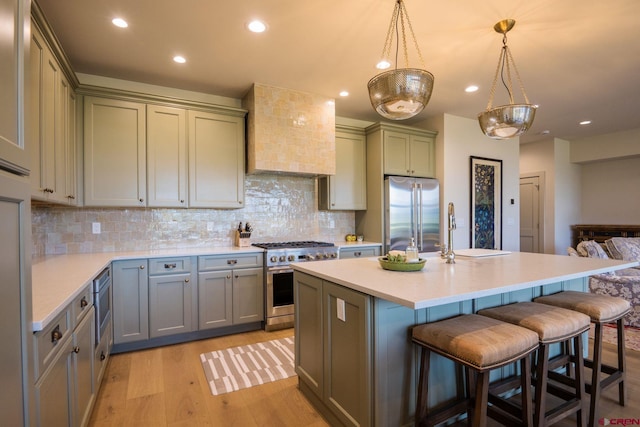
(167, 156)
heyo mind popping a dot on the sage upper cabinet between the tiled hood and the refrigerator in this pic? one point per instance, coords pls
(347, 189)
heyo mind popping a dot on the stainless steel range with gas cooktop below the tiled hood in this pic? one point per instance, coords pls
(279, 276)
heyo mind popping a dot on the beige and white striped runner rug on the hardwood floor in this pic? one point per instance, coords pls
(248, 365)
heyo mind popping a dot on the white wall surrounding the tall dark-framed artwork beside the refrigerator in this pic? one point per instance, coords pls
(458, 139)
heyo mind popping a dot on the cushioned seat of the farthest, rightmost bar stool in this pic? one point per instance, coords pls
(600, 308)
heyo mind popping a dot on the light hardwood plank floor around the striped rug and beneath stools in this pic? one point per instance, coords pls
(166, 387)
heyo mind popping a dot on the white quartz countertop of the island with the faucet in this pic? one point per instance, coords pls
(470, 277)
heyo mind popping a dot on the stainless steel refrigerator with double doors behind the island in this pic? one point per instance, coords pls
(412, 209)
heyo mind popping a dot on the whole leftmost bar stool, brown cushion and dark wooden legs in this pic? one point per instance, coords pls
(479, 344)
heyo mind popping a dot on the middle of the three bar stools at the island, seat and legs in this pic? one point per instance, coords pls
(553, 325)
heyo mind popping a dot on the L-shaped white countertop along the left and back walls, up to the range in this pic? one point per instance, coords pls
(58, 279)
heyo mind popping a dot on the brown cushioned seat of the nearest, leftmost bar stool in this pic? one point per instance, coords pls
(475, 340)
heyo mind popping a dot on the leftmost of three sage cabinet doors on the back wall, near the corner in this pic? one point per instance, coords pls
(114, 153)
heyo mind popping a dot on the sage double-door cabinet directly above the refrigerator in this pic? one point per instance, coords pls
(406, 150)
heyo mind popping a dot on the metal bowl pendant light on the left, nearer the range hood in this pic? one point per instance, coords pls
(400, 93)
